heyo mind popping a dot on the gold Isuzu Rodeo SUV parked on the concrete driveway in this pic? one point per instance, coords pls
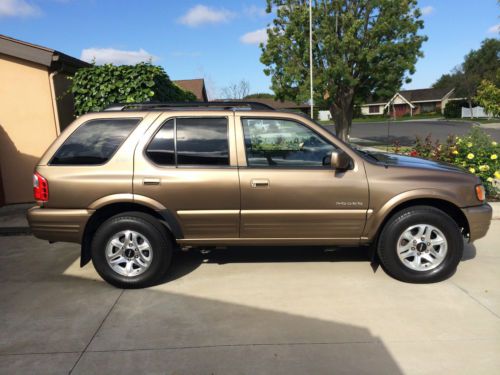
(133, 182)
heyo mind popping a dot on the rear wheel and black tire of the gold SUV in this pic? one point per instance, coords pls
(131, 250)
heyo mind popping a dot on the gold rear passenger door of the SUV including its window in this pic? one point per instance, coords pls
(188, 164)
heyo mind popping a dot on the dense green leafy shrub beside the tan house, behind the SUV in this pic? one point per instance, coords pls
(97, 87)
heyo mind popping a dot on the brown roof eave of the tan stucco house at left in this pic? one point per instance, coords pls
(52, 59)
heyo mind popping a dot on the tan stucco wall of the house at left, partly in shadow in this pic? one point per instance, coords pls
(27, 125)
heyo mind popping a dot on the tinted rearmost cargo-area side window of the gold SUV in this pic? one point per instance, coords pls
(94, 142)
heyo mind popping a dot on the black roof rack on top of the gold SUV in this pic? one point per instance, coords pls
(222, 105)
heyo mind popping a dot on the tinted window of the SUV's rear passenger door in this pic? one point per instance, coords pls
(191, 141)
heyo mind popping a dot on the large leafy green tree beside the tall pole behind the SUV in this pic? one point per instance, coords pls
(361, 48)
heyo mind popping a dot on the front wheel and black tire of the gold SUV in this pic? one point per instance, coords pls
(410, 246)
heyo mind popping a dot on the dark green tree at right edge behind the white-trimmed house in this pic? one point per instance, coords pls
(478, 65)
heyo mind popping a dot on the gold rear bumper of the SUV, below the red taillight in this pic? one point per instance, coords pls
(58, 224)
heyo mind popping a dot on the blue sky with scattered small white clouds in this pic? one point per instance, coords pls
(217, 40)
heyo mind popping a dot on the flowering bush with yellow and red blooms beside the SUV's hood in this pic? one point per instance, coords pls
(476, 153)
